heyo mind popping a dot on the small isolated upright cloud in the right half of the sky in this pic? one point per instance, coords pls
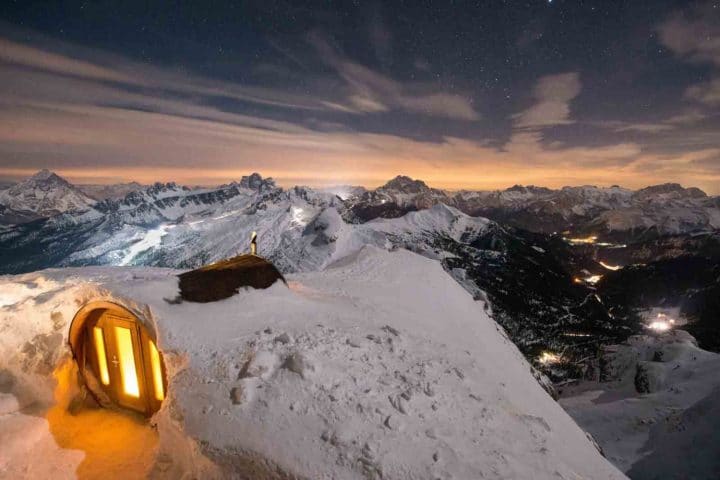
(553, 94)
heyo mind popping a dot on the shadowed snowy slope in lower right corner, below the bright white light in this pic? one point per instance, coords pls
(670, 432)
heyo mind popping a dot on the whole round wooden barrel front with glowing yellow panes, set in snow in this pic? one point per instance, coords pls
(117, 358)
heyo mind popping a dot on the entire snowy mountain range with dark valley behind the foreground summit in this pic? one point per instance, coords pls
(545, 262)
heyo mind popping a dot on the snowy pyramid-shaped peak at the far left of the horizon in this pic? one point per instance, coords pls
(43, 195)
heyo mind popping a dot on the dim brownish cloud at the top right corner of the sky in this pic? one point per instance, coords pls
(694, 35)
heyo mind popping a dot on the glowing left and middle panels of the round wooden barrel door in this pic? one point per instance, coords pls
(119, 361)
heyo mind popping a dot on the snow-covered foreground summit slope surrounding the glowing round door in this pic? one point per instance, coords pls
(380, 366)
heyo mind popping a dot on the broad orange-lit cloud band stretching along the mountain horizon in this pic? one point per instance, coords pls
(88, 142)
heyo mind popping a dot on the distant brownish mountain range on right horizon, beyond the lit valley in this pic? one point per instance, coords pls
(613, 212)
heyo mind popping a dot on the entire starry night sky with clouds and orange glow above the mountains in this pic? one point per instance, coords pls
(460, 94)
